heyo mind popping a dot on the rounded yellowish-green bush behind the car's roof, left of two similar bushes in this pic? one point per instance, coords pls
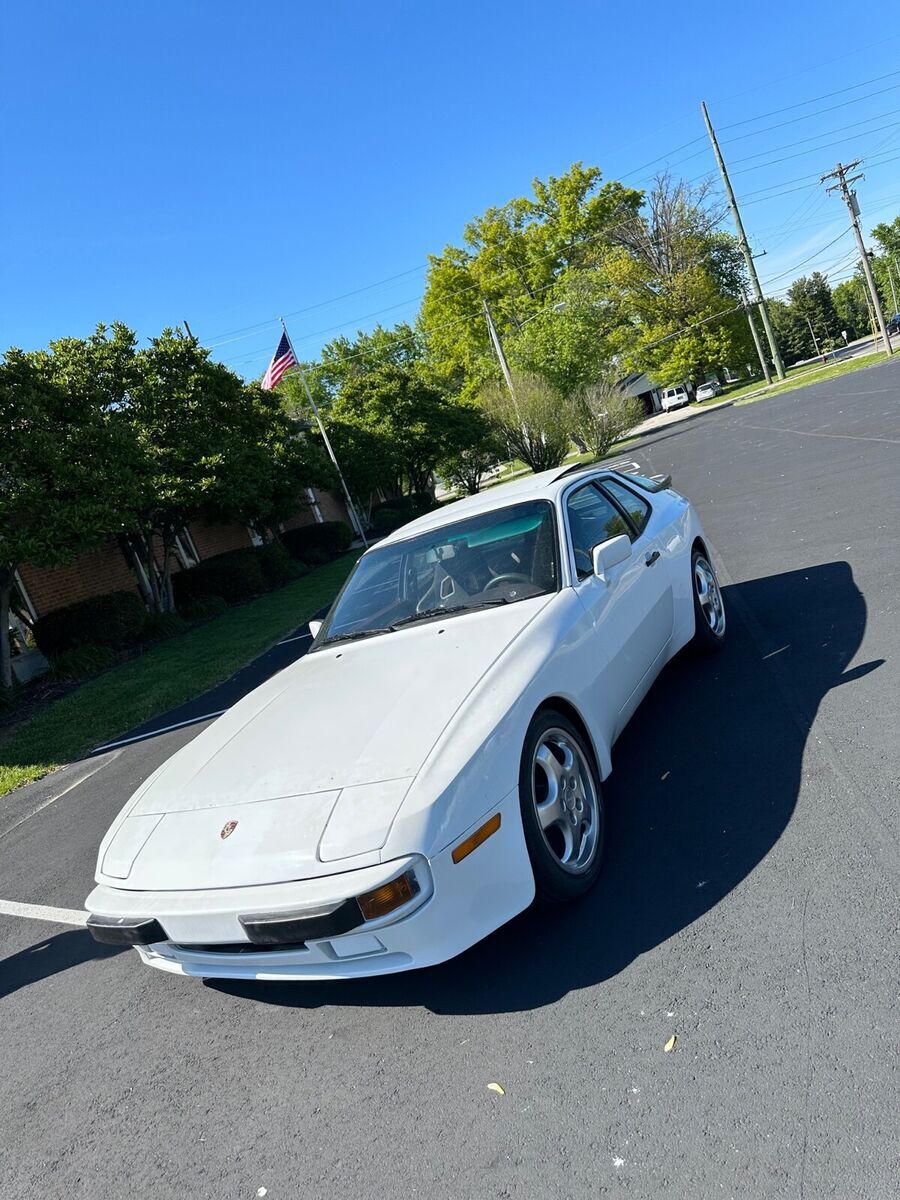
(537, 425)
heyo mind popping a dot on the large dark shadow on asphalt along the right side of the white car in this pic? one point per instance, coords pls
(706, 779)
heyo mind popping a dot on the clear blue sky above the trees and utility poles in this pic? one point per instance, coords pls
(227, 163)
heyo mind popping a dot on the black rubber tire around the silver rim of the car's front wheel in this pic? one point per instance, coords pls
(556, 884)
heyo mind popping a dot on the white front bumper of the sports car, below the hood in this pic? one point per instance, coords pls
(458, 905)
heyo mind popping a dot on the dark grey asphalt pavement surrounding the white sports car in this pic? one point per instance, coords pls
(749, 907)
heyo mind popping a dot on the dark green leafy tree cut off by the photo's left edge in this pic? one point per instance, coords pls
(65, 457)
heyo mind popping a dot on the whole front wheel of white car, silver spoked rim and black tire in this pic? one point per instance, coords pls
(562, 808)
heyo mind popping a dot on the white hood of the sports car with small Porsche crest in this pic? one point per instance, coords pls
(314, 766)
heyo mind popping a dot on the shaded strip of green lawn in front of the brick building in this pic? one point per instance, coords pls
(167, 675)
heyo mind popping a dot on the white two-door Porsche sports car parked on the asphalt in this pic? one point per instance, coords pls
(436, 760)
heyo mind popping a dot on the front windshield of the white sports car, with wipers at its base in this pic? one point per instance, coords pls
(494, 559)
